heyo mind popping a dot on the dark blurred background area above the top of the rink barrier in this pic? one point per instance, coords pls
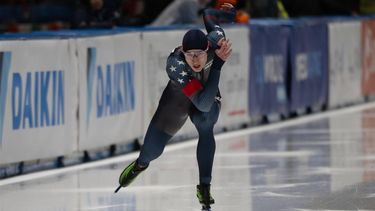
(36, 15)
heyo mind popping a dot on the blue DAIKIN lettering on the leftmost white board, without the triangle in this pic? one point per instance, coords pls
(37, 99)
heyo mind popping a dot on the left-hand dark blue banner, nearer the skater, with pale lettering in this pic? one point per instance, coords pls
(268, 68)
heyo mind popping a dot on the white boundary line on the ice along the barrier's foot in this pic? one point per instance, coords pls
(191, 142)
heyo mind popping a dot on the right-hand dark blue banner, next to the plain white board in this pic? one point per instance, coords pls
(309, 64)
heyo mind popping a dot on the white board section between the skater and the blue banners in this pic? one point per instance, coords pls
(234, 80)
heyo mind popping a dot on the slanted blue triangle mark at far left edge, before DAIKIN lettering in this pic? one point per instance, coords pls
(5, 58)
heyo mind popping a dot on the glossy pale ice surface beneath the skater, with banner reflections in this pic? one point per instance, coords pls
(318, 162)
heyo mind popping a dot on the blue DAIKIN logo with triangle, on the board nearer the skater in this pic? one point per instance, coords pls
(113, 86)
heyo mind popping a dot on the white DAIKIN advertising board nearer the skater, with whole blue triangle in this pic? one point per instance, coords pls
(110, 90)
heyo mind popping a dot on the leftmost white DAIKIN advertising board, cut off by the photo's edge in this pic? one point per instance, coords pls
(38, 99)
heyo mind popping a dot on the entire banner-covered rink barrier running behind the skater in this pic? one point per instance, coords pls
(90, 65)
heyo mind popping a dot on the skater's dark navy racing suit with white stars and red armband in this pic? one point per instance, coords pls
(189, 94)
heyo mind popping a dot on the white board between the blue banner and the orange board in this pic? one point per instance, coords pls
(344, 63)
